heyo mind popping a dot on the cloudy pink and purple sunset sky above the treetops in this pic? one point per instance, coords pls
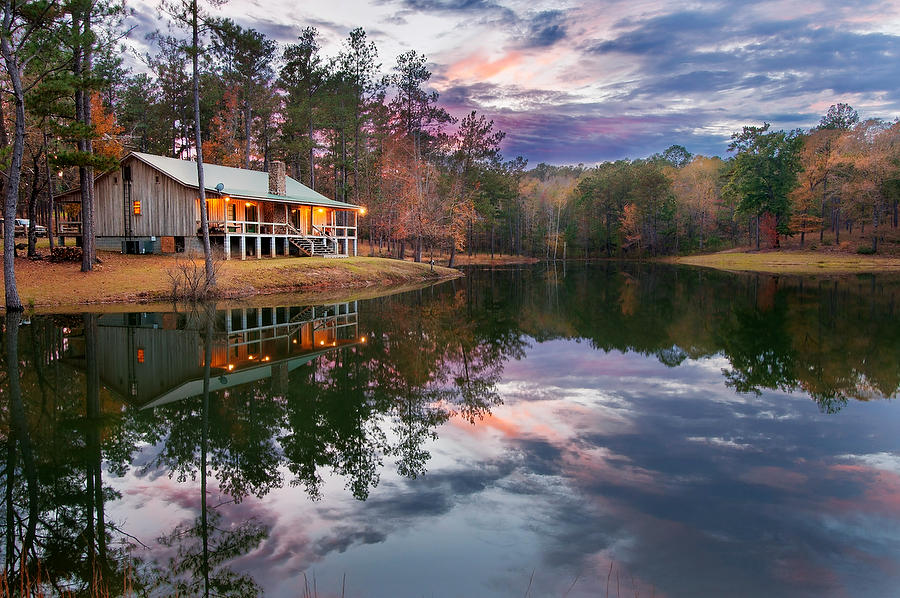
(575, 81)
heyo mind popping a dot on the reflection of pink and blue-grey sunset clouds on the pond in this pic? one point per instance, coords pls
(597, 457)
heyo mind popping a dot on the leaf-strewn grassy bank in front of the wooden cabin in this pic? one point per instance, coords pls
(145, 278)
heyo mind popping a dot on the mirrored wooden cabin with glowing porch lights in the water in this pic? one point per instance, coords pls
(152, 359)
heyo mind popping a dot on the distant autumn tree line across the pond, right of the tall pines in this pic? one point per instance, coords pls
(841, 176)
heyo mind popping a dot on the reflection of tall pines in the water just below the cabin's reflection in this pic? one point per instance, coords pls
(346, 410)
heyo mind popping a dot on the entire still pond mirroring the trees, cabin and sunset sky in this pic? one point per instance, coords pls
(601, 430)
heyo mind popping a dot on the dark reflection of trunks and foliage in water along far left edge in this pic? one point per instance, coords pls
(55, 524)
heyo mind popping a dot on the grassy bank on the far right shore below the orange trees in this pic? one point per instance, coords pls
(794, 262)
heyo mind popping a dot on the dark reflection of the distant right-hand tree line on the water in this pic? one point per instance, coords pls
(835, 339)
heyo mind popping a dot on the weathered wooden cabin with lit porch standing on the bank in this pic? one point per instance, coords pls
(150, 204)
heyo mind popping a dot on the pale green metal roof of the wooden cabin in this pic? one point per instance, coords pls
(239, 183)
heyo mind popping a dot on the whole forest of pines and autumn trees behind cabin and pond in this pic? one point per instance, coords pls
(376, 135)
